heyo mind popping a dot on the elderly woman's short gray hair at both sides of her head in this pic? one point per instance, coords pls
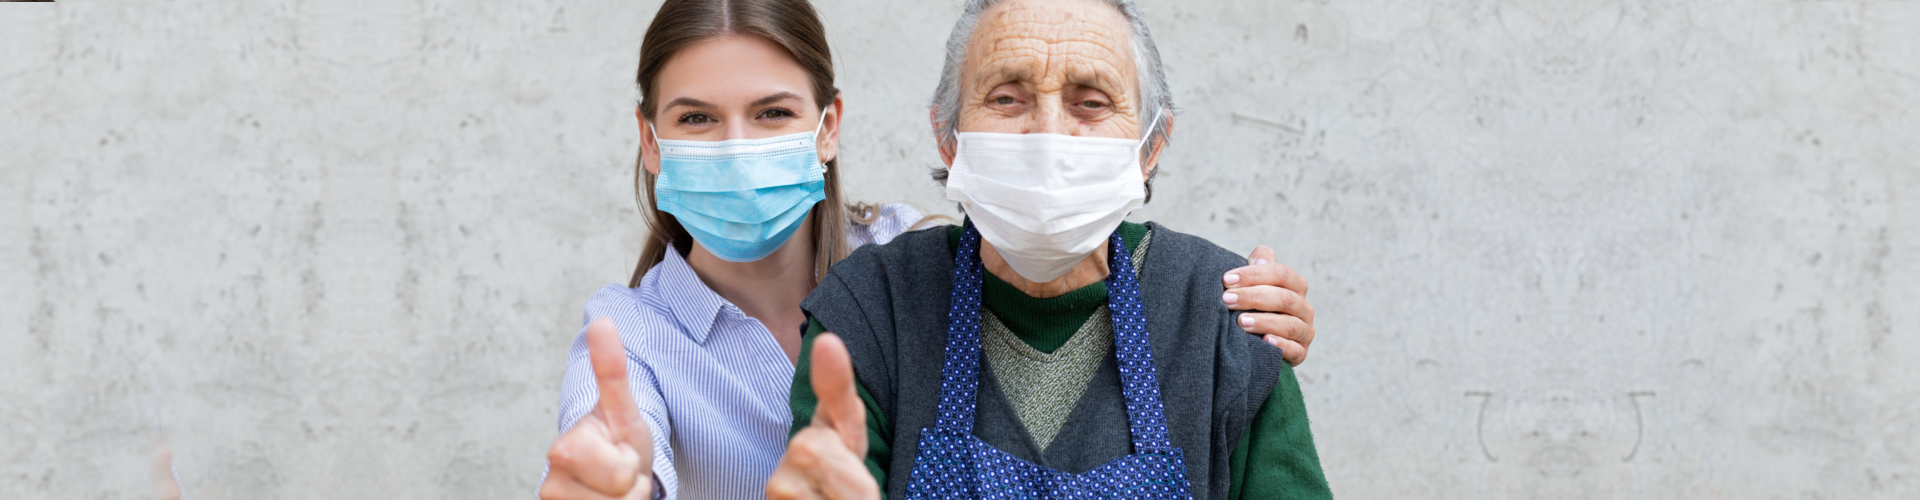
(1157, 101)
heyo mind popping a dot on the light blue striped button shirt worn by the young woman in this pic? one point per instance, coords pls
(709, 380)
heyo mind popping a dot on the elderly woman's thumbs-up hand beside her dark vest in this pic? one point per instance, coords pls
(827, 461)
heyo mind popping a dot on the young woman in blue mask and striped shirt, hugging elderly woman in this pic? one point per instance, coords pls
(738, 162)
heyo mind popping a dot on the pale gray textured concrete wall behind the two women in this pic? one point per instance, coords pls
(1560, 249)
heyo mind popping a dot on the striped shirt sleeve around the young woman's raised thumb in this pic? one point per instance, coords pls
(581, 395)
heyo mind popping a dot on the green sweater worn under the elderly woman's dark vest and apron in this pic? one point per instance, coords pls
(1276, 457)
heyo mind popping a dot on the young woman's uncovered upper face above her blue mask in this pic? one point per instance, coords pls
(736, 87)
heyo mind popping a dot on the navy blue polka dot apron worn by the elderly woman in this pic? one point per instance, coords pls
(955, 464)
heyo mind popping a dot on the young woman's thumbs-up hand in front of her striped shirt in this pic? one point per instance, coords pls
(610, 453)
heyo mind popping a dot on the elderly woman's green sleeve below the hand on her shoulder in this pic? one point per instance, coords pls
(1276, 457)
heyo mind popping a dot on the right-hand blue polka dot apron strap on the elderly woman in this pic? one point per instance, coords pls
(1147, 416)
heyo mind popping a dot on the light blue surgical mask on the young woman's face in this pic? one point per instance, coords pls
(742, 199)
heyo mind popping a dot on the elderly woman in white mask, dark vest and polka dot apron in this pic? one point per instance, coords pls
(1045, 349)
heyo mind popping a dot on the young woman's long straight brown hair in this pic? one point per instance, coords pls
(788, 24)
